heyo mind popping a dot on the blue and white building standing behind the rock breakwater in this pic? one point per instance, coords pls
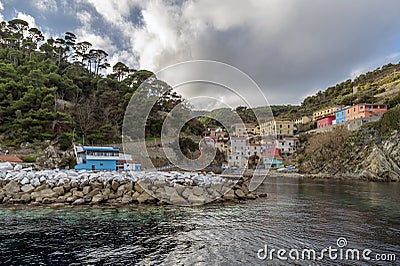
(103, 158)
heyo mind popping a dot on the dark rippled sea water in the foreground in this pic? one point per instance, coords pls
(297, 214)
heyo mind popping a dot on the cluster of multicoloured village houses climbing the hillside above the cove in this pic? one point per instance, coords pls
(266, 145)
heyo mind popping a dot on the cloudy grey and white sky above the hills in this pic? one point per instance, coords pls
(291, 48)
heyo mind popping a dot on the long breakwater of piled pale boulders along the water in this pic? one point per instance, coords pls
(84, 187)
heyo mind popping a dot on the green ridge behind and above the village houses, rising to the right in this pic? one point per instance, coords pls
(379, 86)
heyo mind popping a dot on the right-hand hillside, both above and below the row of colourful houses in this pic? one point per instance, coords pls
(370, 153)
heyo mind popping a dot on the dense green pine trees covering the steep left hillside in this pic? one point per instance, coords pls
(51, 88)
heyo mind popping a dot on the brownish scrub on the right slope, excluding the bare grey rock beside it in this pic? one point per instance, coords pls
(342, 152)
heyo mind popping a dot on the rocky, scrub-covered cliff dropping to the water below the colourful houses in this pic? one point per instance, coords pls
(362, 155)
